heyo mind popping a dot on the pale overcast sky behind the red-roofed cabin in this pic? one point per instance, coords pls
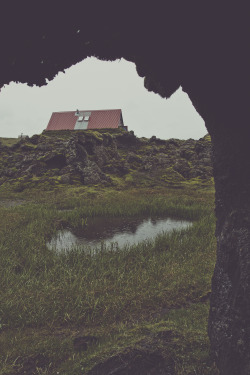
(94, 84)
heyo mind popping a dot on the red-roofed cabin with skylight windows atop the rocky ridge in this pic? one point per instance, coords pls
(85, 120)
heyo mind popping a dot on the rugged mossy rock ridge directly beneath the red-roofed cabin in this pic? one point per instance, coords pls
(103, 157)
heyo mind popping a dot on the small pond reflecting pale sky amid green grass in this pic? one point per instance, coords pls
(113, 232)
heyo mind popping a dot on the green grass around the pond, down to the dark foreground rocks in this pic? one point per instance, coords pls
(113, 294)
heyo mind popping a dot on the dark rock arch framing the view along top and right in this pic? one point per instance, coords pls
(201, 46)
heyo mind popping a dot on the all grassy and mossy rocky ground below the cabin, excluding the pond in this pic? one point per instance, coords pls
(121, 300)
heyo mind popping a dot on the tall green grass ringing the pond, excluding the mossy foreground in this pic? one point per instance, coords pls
(42, 288)
